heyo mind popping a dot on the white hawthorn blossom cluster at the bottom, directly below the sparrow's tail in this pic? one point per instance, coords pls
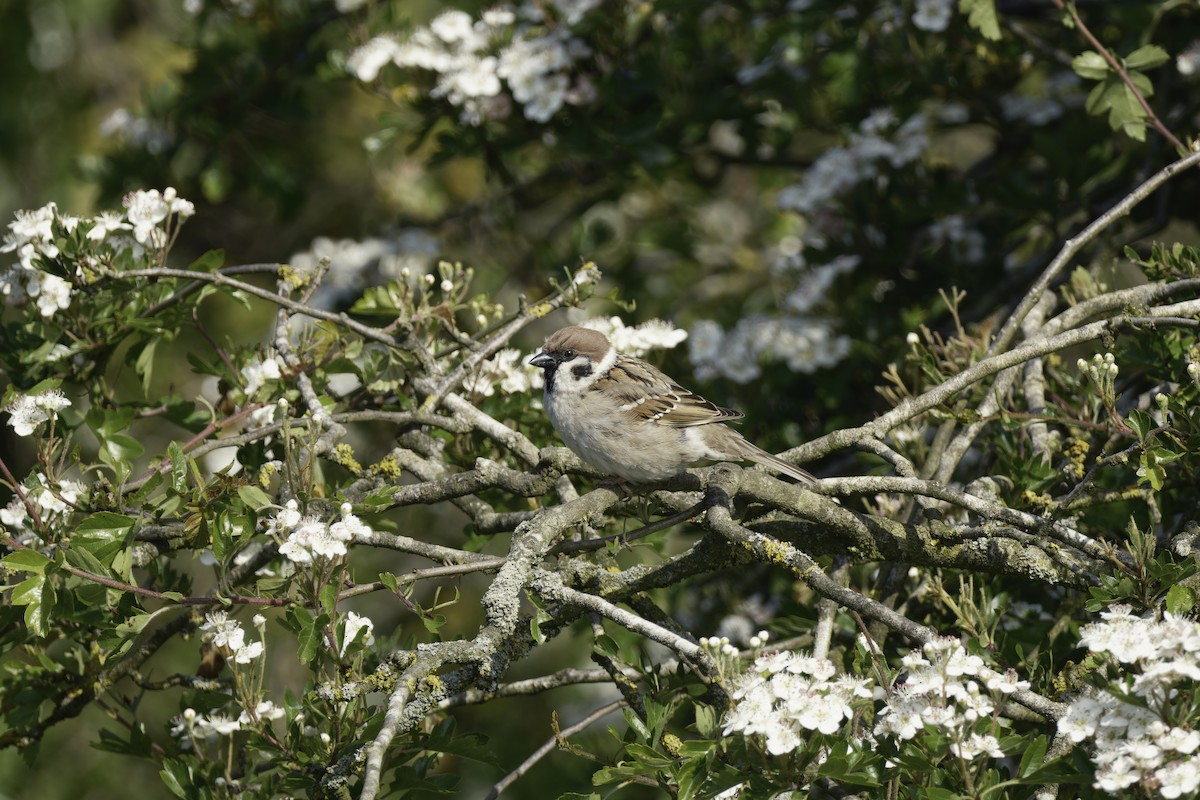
(785, 695)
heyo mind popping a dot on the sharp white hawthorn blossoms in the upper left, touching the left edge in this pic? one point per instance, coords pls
(35, 238)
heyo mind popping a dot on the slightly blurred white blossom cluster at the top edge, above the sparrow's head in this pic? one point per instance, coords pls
(476, 59)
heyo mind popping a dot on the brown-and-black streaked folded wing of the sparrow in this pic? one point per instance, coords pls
(649, 395)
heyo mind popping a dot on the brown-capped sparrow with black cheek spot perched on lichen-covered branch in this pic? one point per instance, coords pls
(627, 418)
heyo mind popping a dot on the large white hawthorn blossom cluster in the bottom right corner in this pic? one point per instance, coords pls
(1142, 727)
